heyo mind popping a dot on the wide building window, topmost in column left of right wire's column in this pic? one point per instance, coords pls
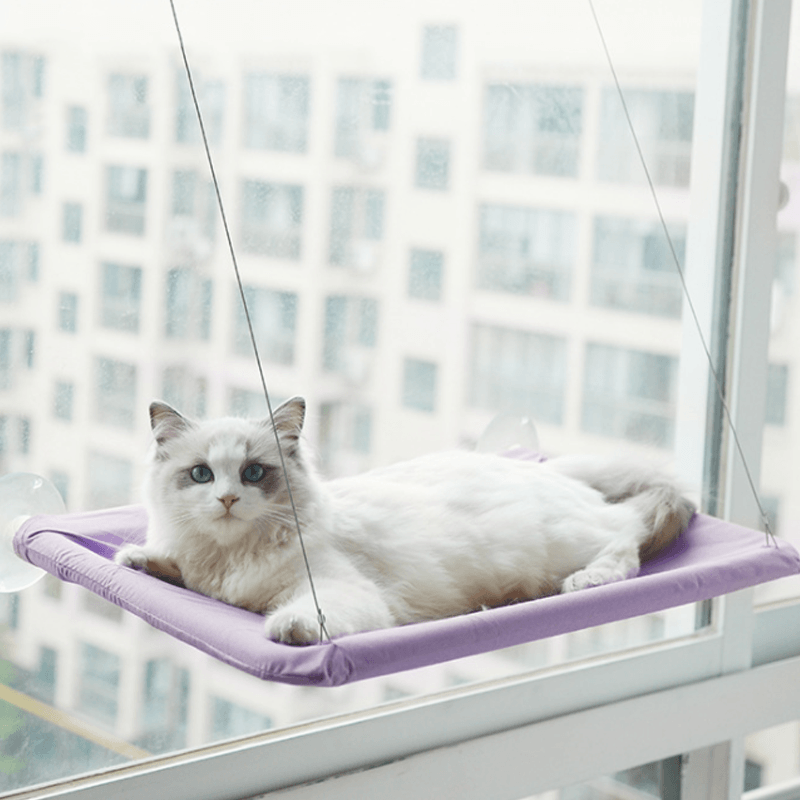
(532, 128)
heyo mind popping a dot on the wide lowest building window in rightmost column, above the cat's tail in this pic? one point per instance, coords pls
(629, 394)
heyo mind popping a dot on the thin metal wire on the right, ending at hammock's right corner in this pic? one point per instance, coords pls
(717, 381)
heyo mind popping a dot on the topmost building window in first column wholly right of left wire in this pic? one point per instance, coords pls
(276, 112)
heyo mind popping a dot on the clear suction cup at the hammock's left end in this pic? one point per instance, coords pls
(22, 495)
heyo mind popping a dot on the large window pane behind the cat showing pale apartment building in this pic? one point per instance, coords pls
(437, 220)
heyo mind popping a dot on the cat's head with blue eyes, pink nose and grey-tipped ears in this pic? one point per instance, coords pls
(223, 478)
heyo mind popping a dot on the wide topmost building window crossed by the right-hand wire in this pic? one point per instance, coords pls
(663, 121)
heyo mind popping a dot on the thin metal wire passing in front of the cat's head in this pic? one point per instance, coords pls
(221, 206)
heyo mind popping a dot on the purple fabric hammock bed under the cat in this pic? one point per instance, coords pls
(711, 558)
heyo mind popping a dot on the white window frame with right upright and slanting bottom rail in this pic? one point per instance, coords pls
(512, 737)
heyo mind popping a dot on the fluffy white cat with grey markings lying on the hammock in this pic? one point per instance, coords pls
(436, 536)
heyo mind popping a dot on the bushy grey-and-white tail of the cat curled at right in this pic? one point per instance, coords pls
(655, 495)
